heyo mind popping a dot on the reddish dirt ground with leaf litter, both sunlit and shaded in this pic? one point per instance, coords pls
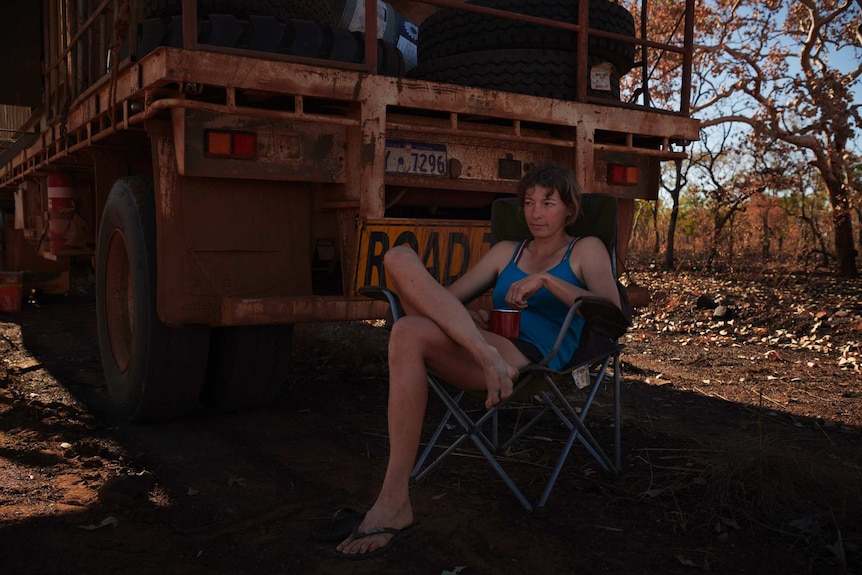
(742, 453)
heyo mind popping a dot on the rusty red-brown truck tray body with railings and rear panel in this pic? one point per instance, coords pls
(235, 237)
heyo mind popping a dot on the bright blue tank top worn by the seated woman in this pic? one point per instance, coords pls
(544, 314)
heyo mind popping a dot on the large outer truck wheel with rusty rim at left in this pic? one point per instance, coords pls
(152, 371)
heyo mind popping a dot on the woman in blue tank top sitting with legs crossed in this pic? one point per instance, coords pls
(540, 277)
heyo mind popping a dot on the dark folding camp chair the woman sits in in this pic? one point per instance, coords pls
(596, 361)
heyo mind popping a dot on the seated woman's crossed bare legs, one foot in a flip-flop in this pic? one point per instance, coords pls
(421, 339)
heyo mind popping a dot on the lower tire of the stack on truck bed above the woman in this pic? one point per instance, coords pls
(546, 73)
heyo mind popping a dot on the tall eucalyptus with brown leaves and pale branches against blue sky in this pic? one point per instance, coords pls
(788, 70)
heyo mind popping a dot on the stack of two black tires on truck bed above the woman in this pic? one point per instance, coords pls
(472, 49)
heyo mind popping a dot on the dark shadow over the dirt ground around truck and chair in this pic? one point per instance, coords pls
(707, 484)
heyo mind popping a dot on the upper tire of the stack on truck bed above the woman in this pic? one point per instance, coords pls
(449, 32)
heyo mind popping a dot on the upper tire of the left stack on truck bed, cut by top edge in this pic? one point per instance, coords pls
(316, 10)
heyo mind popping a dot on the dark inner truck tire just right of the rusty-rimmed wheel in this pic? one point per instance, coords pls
(247, 366)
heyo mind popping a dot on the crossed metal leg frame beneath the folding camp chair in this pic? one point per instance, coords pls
(558, 404)
